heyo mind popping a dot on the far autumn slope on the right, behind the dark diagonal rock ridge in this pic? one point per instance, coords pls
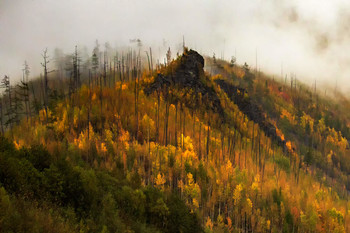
(306, 123)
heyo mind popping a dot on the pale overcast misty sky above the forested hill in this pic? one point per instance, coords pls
(309, 37)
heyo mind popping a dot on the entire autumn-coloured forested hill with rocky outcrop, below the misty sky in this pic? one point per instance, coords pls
(107, 141)
